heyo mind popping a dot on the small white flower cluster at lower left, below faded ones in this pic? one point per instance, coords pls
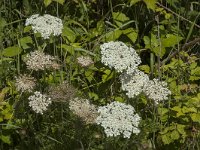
(39, 102)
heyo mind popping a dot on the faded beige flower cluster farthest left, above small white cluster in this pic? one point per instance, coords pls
(25, 83)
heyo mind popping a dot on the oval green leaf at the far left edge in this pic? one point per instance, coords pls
(12, 51)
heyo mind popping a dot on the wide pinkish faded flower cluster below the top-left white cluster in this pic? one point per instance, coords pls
(37, 60)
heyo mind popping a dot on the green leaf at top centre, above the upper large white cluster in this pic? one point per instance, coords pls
(119, 18)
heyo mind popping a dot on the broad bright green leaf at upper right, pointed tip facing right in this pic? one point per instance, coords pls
(170, 40)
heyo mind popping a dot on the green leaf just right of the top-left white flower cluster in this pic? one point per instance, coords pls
(69, 34)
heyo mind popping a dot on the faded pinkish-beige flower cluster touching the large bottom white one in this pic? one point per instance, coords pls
(83, 109)
